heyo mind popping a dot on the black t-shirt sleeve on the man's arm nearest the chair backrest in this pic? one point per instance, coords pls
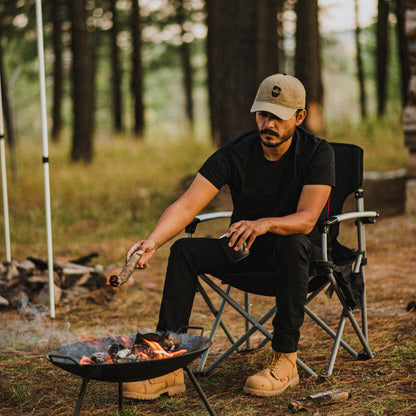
(321, 169)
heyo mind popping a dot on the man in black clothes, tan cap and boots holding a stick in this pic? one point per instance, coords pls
(280, 179)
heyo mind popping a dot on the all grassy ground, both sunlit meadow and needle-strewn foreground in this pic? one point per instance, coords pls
(107, 204)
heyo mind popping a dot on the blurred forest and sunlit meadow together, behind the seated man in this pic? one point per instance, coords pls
(129, 81)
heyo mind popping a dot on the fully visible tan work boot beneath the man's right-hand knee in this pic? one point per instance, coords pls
(280, 374)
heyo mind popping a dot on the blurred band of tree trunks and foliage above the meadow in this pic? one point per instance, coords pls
(136, 68)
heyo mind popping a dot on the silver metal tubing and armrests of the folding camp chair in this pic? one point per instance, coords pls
(361, 218)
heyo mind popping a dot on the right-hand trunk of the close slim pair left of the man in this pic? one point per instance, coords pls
(137, 72)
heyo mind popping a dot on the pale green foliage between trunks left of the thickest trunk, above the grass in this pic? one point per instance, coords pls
(162, 38)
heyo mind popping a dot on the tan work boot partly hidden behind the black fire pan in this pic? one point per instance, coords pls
(171, 384)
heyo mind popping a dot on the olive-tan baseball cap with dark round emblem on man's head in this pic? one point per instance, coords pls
(281, 95)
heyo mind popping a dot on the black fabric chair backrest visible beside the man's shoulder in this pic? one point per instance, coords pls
(349, 174)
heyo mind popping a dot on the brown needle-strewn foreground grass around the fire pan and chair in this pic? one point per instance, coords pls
(382, 386)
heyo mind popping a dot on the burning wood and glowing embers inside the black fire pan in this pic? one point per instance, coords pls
(145, 347)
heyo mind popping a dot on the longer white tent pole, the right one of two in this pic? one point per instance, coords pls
(45, 154)
